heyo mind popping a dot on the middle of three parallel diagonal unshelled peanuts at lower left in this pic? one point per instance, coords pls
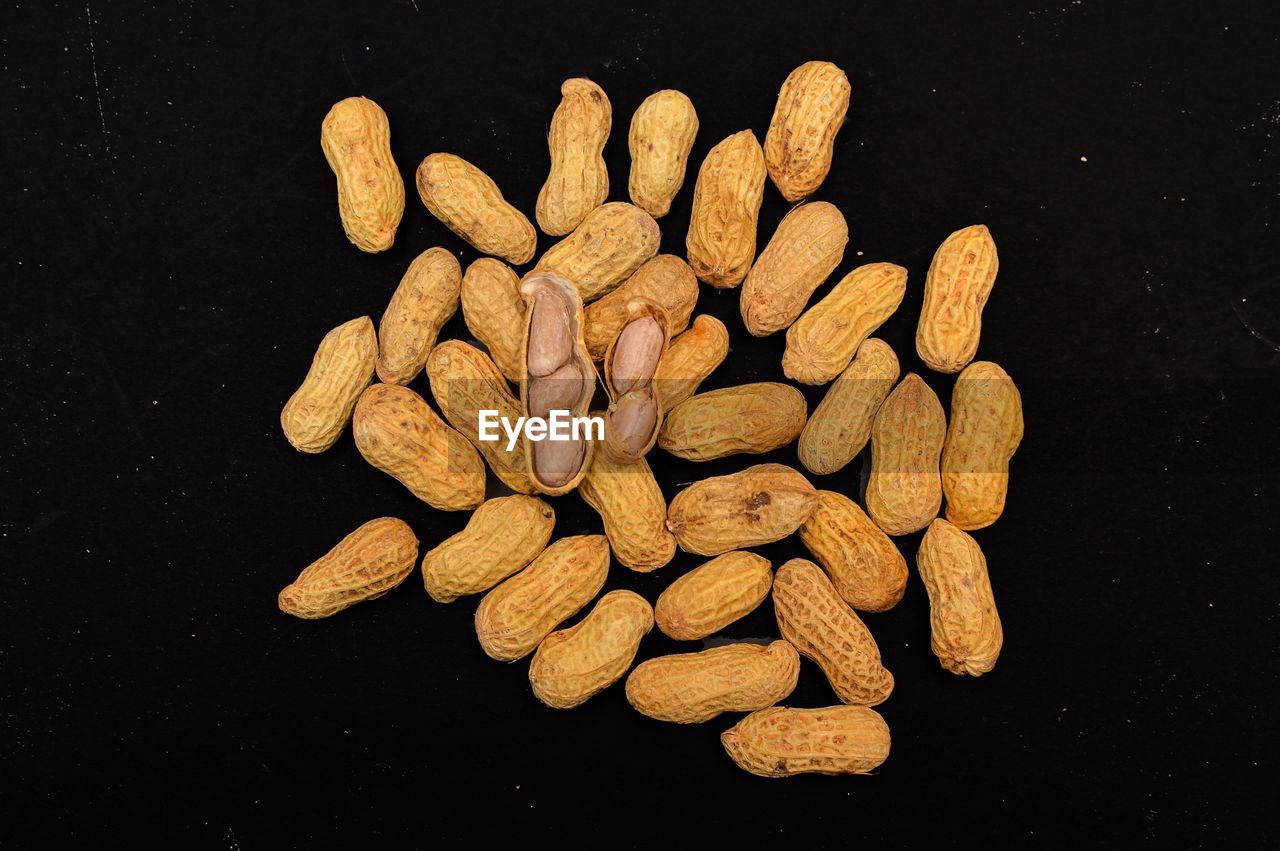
(516, 616)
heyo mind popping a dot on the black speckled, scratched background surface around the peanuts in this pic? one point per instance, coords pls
(172, 257)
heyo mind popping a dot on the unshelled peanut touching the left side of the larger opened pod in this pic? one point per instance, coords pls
(467, 382)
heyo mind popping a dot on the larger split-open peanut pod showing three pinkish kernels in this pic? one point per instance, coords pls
(556, 374)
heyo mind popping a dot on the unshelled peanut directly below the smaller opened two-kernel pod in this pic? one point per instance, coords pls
(630, 502)
